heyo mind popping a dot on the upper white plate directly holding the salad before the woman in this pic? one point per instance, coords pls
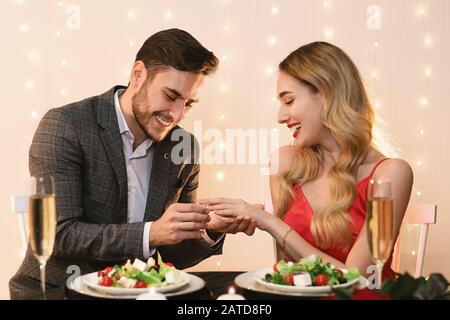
(258, 277)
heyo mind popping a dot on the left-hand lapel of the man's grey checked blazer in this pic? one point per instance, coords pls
(112, 141)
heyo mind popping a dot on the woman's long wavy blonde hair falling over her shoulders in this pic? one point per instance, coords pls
(347, 113)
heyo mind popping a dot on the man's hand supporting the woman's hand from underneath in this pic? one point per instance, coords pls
(231, 225)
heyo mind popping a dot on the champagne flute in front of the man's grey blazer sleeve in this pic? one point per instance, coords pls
(42, 221)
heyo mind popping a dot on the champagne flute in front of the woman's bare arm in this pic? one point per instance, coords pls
(380, 223)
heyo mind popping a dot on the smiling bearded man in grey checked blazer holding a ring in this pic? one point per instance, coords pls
(120, 194)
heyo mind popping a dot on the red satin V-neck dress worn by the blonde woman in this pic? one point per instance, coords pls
(300, 213)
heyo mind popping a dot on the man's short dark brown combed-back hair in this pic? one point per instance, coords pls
(178, 49)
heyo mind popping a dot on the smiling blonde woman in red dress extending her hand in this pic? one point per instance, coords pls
(319, 190)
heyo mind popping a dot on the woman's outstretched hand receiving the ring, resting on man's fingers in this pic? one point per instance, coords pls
(234, 208)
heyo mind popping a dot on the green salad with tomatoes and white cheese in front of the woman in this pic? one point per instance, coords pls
(309, 271)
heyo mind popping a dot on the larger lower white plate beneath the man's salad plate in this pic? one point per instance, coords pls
(79, 285)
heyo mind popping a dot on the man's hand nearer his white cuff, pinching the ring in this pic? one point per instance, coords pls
(181, 221)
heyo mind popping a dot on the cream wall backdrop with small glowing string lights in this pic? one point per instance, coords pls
(56, 52)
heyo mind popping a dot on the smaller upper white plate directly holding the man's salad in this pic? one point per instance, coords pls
(91, 281)
